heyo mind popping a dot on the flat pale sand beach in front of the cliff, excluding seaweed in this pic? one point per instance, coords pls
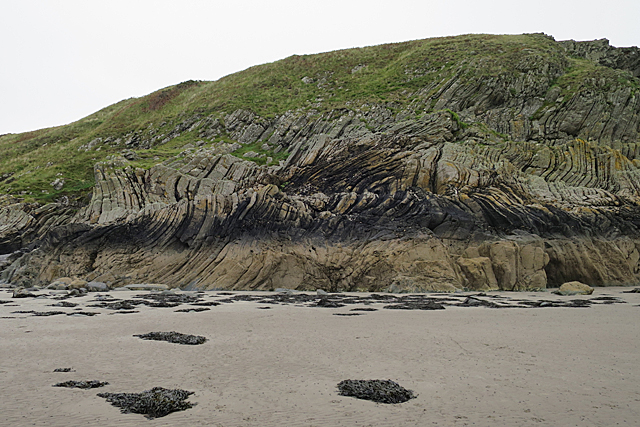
(469, 365)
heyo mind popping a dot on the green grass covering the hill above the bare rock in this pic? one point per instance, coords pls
(402, 76)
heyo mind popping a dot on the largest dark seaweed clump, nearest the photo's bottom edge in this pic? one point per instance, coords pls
(153, 403)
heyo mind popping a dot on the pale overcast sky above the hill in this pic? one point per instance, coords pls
(61, 60)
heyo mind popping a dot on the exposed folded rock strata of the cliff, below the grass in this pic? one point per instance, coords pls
(507, 181)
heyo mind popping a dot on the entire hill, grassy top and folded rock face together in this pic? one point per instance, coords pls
(474, 161)
